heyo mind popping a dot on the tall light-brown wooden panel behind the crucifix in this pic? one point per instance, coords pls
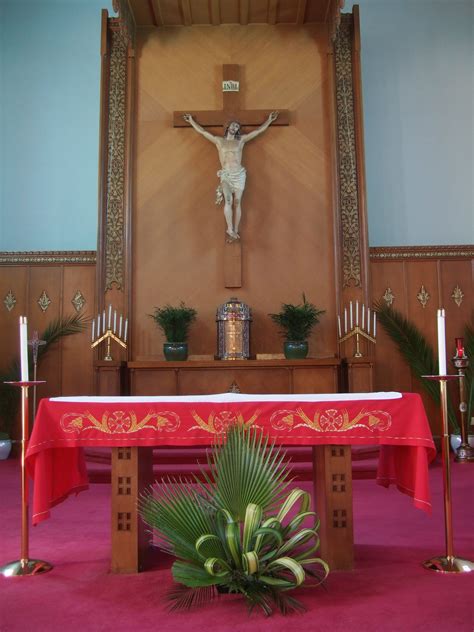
(287, 227)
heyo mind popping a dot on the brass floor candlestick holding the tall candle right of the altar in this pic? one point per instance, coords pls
(448, 563)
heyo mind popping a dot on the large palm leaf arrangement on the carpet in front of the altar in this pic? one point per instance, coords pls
(234, 532)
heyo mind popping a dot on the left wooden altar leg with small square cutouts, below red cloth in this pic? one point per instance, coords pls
(132, 471)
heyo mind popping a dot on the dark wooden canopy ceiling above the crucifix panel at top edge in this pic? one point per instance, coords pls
(214, 12)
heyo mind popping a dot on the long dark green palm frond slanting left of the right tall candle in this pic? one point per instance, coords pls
(415, 350)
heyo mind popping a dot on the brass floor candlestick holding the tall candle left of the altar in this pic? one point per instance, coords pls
(25, 565)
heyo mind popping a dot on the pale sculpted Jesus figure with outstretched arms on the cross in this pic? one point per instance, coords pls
(233, 174)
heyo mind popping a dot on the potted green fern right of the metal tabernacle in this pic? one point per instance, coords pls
(296, 323)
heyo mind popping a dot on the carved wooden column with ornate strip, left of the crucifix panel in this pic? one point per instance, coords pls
(116, 135)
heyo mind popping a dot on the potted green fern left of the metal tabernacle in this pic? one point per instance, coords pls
(175, 323)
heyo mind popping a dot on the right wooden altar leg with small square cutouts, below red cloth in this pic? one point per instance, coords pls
(332, 474)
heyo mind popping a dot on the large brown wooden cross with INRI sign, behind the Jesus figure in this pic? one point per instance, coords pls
(231, 111)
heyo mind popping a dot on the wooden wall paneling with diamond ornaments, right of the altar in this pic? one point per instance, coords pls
(420, 280)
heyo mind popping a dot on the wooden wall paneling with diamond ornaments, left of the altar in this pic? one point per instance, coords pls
(44, 286)
